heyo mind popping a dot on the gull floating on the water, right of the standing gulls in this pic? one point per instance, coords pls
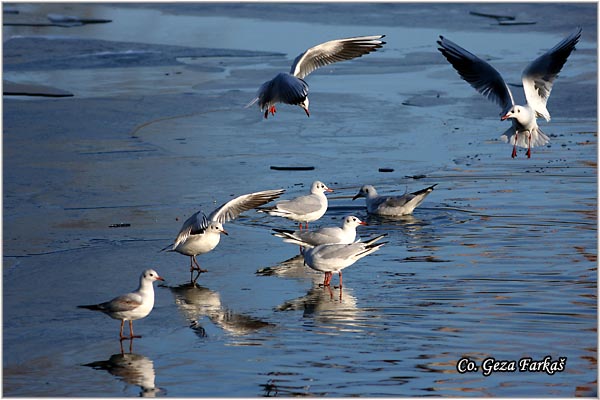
(392, 205)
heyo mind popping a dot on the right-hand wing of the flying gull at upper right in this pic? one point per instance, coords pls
(539, 76)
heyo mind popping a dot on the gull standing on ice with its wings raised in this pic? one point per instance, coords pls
(200, 234)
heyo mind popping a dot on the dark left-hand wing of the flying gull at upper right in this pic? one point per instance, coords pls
(478, 73)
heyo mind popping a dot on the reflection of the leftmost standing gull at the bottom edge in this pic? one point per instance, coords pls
(133, 369)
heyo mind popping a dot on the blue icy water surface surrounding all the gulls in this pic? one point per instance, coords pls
(500, 261)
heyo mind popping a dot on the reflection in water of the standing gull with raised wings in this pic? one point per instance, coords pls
(196, 302)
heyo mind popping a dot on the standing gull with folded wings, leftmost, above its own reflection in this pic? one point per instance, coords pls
(131, 306)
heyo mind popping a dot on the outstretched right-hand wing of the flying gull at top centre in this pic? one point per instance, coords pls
(334, 51)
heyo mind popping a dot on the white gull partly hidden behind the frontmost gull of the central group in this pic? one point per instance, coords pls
(327, 235)
